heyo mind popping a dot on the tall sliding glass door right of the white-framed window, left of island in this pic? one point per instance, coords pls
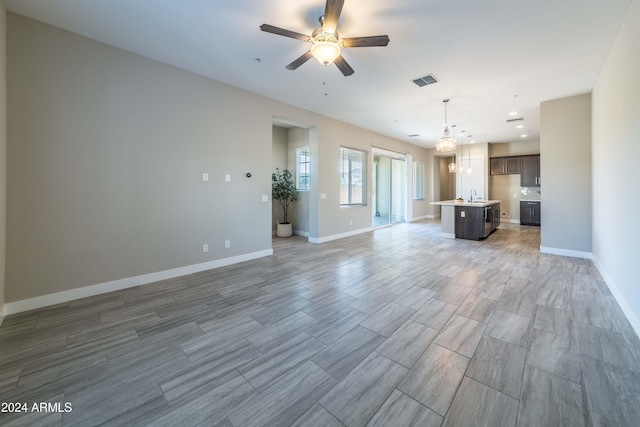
(389, 187)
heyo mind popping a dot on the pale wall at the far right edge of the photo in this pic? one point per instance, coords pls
(616, 152)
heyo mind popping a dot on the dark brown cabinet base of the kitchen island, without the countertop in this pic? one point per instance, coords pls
(476, 222)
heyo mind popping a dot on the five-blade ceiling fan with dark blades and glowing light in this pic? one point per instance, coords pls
(326, 44)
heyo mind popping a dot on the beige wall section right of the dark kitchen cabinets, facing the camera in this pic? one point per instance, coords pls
(565, 171)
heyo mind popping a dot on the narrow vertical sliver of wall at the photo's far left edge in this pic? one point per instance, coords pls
(3, 152)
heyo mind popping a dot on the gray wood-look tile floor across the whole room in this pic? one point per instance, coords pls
(396, 327)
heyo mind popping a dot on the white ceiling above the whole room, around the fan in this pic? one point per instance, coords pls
(491, 56)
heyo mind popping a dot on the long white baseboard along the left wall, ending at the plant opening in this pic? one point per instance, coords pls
(129, 282)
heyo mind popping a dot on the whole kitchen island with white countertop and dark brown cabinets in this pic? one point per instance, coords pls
(473, 220)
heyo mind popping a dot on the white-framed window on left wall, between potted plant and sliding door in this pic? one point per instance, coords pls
(353, 177)
